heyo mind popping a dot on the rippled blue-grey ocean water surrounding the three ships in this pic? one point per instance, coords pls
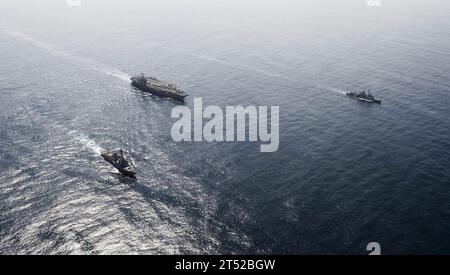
(346, 173)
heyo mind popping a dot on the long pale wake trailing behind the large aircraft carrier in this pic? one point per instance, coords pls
(83, 62)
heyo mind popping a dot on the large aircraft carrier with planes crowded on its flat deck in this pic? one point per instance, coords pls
(157, 87)
